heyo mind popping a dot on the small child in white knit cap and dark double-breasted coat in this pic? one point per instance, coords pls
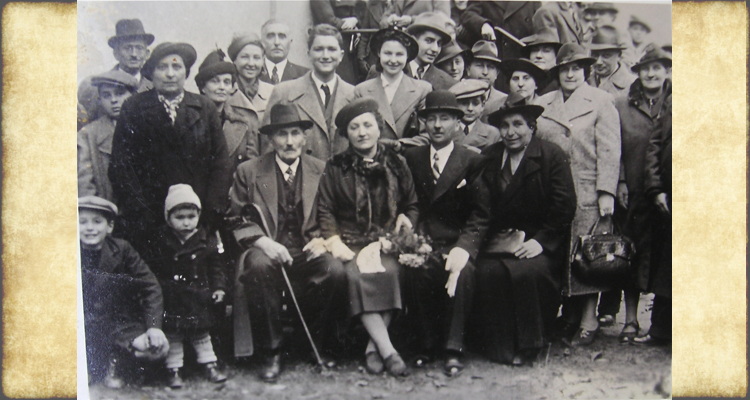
(189, 268)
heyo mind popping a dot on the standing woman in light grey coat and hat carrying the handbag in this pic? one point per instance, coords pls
(584, 122)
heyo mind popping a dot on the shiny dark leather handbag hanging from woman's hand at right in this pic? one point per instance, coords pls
(603, 258)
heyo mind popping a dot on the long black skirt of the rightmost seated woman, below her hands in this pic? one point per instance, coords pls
(517, 301)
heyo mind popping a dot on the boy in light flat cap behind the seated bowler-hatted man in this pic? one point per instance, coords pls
(474, 133)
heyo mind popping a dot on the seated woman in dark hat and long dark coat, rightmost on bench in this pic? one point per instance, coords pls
(527, 186)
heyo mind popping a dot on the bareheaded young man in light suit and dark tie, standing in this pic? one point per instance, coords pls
(319, 94)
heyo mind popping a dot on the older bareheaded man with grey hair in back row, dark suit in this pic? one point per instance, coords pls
(277, 41)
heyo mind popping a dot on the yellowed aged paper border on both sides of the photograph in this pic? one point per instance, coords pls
(39, 199)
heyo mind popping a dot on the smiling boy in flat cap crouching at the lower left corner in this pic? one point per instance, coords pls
(122, 300)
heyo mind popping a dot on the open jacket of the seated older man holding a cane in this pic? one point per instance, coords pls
(255, 184)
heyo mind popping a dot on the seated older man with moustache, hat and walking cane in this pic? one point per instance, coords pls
(281, 187)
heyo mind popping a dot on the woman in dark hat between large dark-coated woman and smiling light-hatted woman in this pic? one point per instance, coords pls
(215, 80)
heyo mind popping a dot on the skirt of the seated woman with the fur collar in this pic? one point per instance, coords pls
(374, 292)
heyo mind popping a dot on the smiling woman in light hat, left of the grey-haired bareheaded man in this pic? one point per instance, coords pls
(252, 94)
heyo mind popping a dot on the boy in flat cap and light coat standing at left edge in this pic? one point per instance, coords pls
(95, 139)
